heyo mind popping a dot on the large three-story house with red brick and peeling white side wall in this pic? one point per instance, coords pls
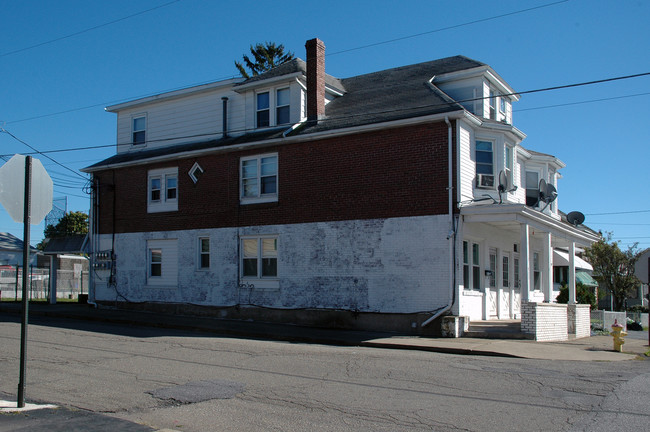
(365, 202)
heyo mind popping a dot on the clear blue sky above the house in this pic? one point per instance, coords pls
(62, 62)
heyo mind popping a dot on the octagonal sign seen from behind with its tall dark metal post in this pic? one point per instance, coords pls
(22, 207)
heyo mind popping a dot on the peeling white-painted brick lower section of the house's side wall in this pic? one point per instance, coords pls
(398, 265)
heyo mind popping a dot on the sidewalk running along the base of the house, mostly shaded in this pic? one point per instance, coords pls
(595, 348)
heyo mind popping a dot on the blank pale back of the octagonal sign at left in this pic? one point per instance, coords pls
(12, 190)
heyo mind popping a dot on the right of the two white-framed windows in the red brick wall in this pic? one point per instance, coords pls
(259, 179)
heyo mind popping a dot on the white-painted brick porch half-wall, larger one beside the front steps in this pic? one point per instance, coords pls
(544, 321)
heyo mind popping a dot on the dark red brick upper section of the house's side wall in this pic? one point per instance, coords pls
(393, 173)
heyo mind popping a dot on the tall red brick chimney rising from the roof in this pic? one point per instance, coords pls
(315, 79)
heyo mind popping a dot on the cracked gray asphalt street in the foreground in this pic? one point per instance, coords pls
(161, 378)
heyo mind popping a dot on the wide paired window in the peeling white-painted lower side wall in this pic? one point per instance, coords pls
(259, 257)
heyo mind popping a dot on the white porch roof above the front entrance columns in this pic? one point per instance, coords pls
(511, 217)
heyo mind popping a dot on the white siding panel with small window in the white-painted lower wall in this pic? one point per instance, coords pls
(162, 263)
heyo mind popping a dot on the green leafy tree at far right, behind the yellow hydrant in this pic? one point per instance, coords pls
(614, 268)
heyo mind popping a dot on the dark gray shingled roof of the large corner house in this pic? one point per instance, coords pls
(388, 95)
